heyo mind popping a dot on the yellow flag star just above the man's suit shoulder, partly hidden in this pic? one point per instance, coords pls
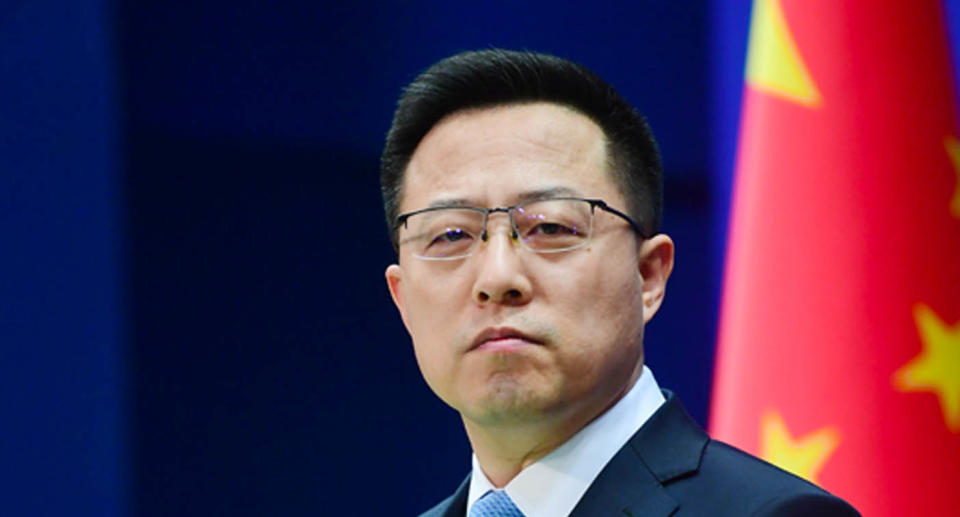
(804, 456)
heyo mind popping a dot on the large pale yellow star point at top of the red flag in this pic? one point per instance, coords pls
(774, 64)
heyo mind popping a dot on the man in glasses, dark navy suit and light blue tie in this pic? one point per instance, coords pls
(524, 199)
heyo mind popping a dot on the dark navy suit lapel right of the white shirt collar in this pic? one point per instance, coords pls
(668, 445)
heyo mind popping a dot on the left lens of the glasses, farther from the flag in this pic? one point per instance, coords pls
(445, 233)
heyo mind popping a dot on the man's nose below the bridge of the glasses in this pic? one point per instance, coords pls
(502, 277)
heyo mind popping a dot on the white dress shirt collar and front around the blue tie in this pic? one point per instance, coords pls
(552, 486)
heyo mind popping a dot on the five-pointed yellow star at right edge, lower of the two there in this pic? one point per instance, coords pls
(937, 368)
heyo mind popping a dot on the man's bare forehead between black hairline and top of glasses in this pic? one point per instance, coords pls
(493, 156)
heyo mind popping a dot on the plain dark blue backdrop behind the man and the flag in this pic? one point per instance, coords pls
(193, 317)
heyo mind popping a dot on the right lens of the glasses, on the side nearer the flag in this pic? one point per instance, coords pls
(554, 224)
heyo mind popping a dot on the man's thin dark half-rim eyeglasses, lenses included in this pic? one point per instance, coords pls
(545, 226)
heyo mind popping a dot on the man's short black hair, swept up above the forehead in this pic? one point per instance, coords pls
(497, 77)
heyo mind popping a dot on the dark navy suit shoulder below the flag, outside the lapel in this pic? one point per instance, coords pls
(746, 485)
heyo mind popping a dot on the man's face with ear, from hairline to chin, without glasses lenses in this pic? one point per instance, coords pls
(507, 335)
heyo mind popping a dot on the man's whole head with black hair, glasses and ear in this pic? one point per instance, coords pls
(515, 332)
